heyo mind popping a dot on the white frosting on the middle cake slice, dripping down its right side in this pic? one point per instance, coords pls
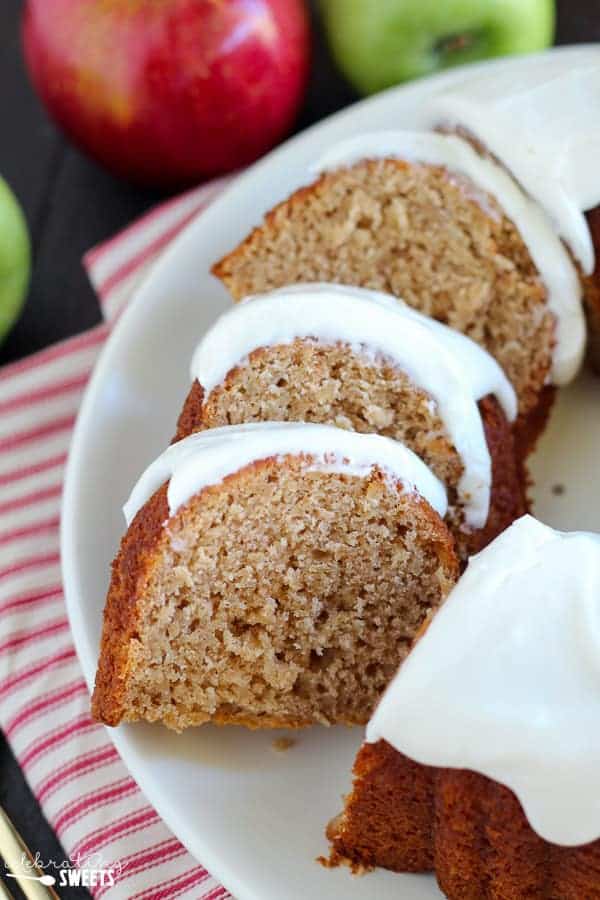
(454, 370)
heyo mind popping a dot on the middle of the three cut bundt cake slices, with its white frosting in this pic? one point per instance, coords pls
(360, 360)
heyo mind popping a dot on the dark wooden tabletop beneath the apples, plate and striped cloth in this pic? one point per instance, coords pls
(72, 204)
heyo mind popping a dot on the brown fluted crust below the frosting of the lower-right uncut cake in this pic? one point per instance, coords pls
(470, 830)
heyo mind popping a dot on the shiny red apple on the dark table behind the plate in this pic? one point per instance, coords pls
(170, 91)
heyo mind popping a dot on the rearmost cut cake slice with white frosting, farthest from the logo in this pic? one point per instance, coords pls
(428, 218)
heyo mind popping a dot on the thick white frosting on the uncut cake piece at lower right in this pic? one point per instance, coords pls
(506, 679)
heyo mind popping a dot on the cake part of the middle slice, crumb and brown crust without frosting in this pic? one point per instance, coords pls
(340, 385)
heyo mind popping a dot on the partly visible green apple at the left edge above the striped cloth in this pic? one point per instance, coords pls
(15, 258)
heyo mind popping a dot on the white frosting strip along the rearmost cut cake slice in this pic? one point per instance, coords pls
(550, 257)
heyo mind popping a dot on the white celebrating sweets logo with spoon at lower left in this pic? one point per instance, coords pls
(82, 871)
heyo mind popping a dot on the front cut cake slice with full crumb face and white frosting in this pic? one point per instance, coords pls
(271, 575)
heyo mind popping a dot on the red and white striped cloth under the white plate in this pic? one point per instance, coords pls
(85, 791)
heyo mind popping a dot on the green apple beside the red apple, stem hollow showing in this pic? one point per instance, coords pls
(378, 43)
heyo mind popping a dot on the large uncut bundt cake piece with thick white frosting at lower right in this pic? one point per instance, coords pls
(481, 758)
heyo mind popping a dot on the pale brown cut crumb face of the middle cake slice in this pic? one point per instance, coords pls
(307, 381)
